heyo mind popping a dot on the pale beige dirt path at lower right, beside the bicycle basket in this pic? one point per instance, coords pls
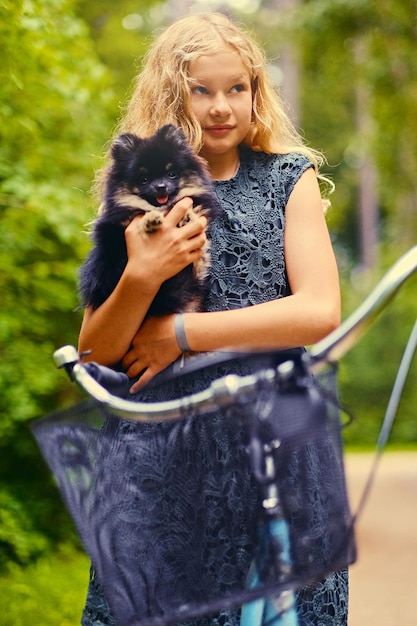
(383, 582)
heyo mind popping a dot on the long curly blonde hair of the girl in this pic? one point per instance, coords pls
(161, 92)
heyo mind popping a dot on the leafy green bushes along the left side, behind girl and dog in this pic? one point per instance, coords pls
(52, 125)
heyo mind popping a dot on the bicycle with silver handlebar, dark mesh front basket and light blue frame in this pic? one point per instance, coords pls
(80, 446)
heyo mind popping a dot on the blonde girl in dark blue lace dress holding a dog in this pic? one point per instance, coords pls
(274, 284)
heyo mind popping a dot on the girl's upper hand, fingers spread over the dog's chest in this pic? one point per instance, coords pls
(158, 256)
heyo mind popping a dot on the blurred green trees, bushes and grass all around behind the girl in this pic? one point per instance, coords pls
(348, 70)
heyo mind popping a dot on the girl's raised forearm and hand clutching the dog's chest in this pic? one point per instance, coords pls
(108, 330)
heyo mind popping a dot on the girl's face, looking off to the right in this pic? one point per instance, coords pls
(221, 99)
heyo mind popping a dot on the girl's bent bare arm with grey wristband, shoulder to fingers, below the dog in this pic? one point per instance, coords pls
(307, 315)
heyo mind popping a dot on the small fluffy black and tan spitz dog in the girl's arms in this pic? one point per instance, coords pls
(147, 177)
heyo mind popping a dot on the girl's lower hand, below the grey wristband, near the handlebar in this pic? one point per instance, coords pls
(153, 348)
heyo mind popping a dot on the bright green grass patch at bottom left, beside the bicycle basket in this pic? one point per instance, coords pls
(50, 592)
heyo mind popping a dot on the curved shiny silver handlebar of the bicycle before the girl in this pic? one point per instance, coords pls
(224, 391)
